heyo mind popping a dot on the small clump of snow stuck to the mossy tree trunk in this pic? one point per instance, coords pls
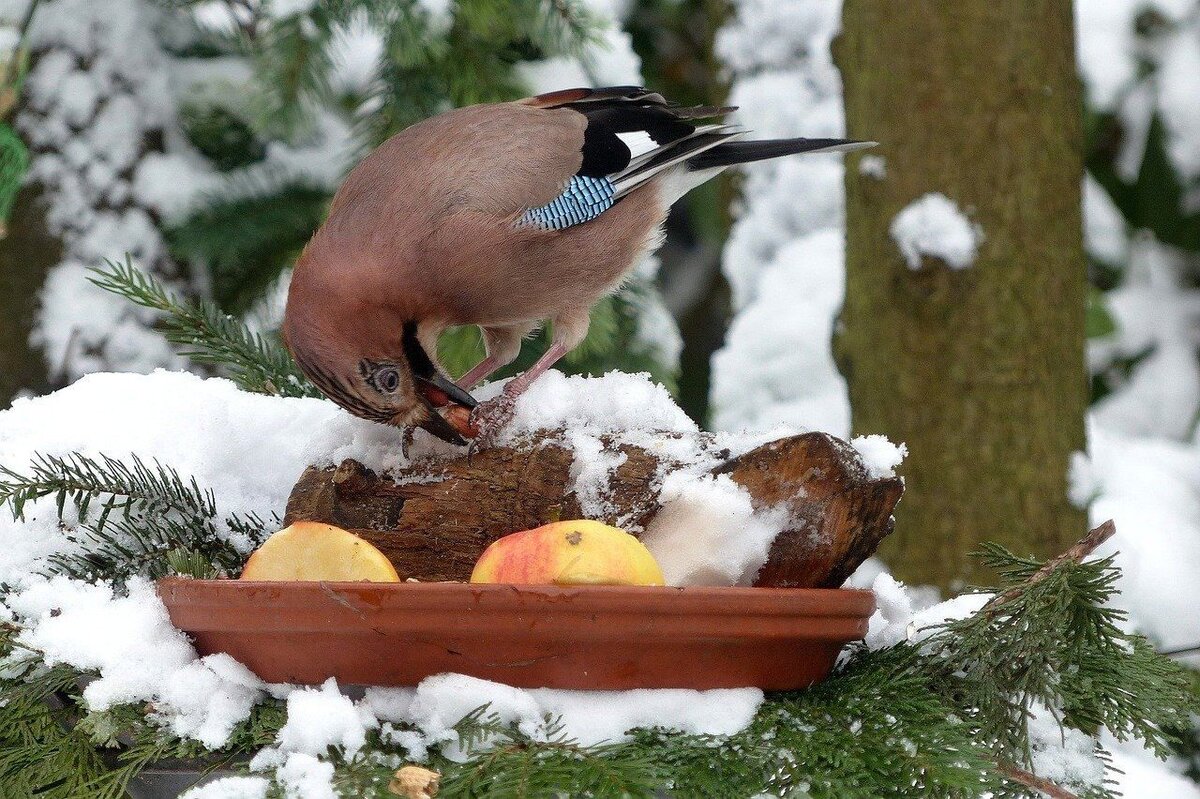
(933, 226)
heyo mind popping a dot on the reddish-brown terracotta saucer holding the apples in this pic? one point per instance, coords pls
(530, 636)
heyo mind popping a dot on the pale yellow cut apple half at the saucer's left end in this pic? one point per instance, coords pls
(311, 551)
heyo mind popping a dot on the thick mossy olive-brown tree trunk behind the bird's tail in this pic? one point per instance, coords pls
(981, 371)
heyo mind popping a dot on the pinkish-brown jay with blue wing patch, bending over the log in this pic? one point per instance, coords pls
(502, 217)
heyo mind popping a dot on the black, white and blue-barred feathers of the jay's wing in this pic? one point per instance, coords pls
(632, 136)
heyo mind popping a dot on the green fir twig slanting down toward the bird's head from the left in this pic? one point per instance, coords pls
(254, 362)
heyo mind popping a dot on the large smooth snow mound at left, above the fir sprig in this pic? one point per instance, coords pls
(249, 449)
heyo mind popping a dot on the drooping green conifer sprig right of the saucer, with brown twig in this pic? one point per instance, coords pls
(1053, 639)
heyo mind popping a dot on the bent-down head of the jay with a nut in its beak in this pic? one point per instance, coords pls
(399, 387)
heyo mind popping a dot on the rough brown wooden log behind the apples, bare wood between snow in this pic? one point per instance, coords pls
(434, 521)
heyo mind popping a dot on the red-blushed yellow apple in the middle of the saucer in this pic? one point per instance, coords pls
(569, 554)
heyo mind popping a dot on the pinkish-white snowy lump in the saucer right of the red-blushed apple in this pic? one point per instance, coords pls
(709, 532)
